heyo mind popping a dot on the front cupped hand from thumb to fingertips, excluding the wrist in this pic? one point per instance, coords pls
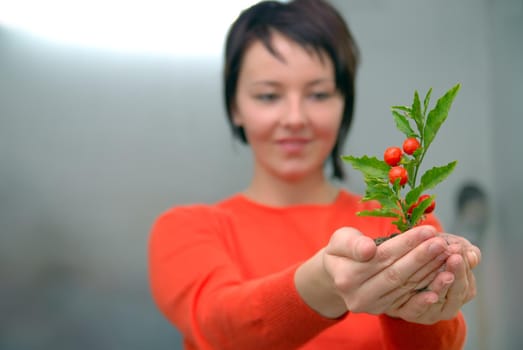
(375, 279)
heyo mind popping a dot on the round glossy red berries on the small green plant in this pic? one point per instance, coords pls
(392, 157)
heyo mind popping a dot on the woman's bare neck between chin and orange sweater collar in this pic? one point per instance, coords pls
(275, 191)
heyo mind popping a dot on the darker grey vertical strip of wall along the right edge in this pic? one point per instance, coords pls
(506, 51)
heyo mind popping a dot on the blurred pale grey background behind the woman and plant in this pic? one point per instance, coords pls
(95, 144)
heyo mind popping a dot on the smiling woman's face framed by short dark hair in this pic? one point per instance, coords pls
(289, 108)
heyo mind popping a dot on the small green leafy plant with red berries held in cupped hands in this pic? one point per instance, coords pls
(395, 181)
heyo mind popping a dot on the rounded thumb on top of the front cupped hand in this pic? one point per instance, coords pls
(350, 243)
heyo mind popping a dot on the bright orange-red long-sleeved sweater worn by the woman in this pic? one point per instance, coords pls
(223, 275)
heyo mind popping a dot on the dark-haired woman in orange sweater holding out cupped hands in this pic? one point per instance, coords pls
(286, 263)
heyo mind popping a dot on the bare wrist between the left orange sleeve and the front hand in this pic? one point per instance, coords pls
(315, 287)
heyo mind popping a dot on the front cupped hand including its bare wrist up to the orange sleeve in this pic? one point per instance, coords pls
(352, 274)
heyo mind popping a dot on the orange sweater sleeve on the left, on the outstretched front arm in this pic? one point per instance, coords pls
(197, 286)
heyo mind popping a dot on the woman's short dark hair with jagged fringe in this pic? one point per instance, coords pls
(313, 24)
